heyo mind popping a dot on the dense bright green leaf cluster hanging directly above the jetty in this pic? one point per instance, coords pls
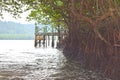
(46, 13)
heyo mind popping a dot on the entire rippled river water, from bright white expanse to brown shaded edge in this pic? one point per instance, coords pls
(19, 60)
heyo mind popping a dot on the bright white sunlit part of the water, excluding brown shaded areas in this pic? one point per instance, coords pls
(21, 57)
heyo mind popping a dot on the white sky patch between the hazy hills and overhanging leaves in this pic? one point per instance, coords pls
(8, 17)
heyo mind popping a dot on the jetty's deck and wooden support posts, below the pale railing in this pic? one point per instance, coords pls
(43, 39)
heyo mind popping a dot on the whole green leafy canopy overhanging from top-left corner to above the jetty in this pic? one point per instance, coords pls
(42, 11)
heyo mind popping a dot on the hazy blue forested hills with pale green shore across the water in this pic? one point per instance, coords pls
(16, 31)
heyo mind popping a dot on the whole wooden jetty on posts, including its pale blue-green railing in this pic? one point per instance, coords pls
(48, 37)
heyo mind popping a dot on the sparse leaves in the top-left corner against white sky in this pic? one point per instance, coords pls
(12, 6)
